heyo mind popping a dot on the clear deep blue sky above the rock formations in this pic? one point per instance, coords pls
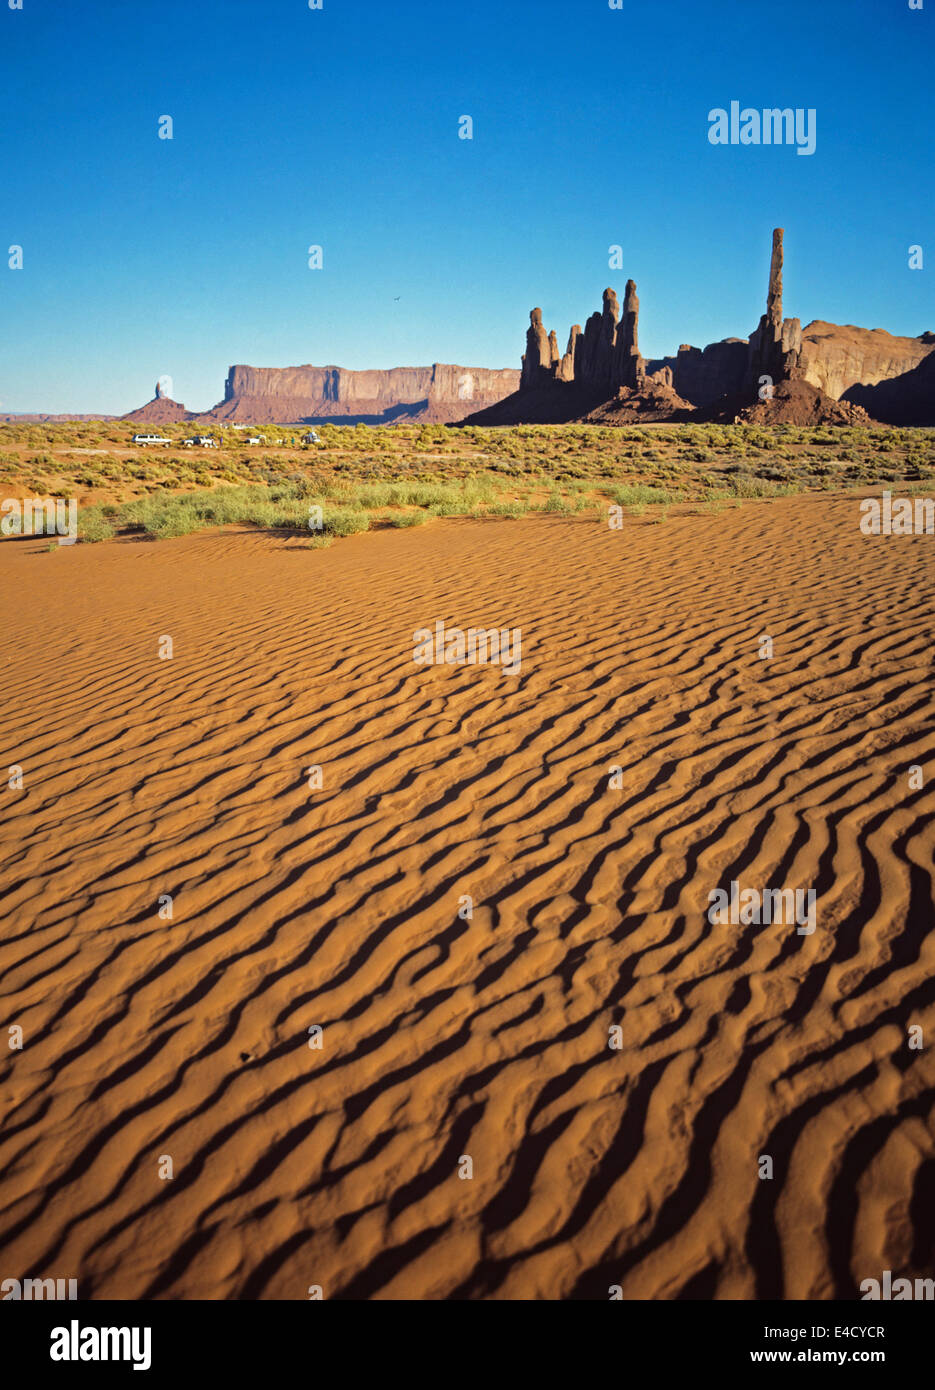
(340, 127)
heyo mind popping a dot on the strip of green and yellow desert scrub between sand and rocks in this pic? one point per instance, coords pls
(404, 475)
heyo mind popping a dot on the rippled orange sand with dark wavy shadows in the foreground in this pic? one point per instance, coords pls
(488, 1039)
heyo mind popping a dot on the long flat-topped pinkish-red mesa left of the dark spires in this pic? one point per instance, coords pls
(438, 393)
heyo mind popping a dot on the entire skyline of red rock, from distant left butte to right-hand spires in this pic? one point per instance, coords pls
(890, 377)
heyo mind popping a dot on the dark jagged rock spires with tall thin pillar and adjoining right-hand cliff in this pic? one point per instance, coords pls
(823, 375)
